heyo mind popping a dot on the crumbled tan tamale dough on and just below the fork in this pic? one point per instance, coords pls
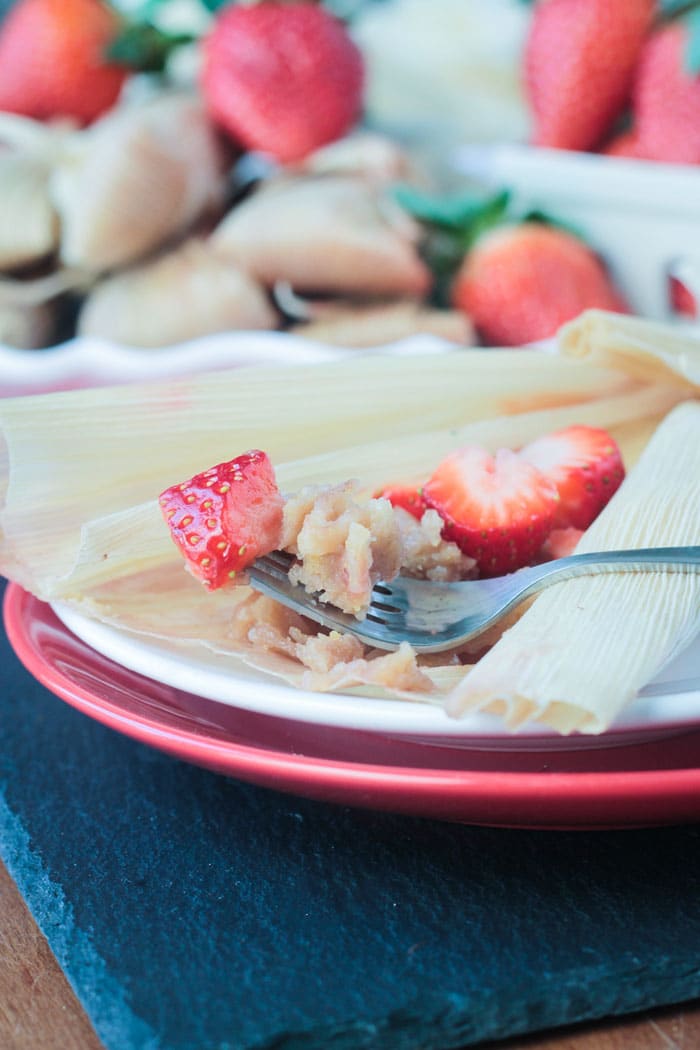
(347, 543)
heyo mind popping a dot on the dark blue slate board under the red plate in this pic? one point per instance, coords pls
(195, 913)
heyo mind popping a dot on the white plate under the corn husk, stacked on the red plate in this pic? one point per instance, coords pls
(673, 701)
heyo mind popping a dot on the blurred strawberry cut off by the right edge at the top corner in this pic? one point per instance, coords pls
(667, 99)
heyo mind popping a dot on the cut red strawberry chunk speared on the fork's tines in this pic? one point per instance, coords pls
(223, 519)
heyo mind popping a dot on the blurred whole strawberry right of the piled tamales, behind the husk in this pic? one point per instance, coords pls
(519, 284)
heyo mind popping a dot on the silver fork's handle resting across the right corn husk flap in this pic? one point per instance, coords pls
(644, 560)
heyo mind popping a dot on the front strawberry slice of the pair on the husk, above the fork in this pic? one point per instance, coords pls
(499, 509)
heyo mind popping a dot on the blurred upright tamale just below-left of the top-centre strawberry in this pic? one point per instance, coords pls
(134, 180)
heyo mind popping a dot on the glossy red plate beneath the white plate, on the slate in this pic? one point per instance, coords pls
(619, 784)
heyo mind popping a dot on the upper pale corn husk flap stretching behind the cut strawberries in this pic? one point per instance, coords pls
(137, 440)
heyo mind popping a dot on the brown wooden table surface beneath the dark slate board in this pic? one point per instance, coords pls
(39, 1011)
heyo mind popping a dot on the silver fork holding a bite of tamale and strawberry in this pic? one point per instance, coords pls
(435, 617)
